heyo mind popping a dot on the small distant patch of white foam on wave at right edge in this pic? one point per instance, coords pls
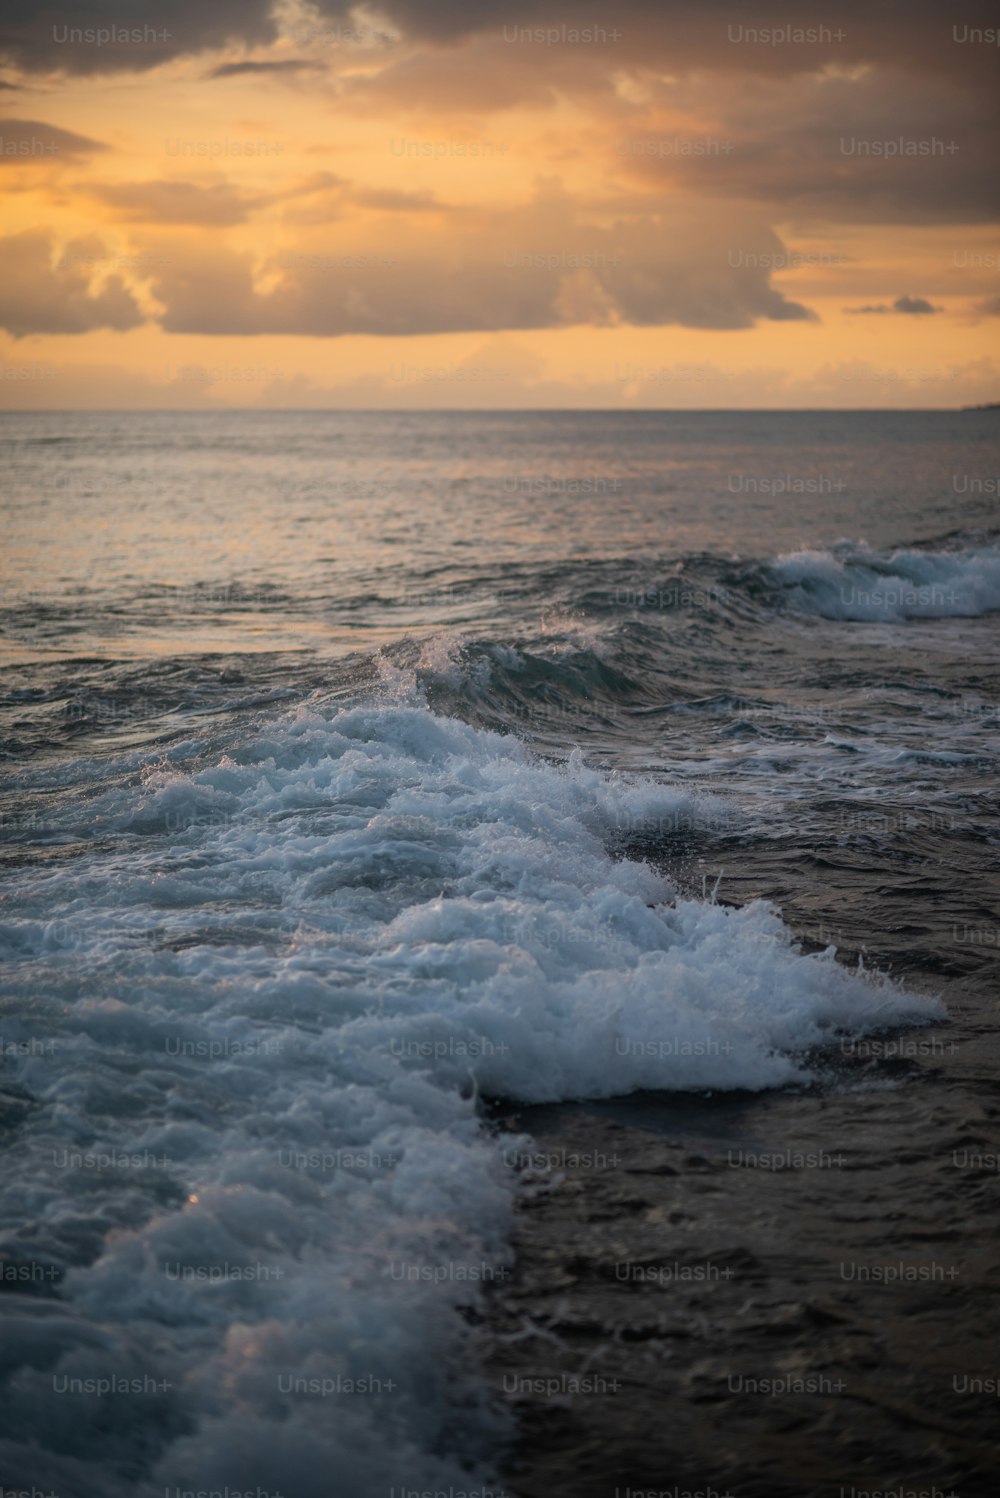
(853, 582)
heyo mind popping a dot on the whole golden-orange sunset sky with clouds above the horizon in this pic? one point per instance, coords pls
(439, 203)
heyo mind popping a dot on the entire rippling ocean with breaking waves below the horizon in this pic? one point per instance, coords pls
(379, 792)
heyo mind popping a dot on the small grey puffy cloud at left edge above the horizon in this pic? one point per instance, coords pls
(38, 297)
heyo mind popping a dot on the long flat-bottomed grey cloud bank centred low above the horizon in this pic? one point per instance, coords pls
(541, 266)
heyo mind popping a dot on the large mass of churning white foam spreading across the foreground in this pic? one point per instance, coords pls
(290, 979)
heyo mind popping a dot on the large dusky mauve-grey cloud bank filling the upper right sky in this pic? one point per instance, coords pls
(890, 143)
